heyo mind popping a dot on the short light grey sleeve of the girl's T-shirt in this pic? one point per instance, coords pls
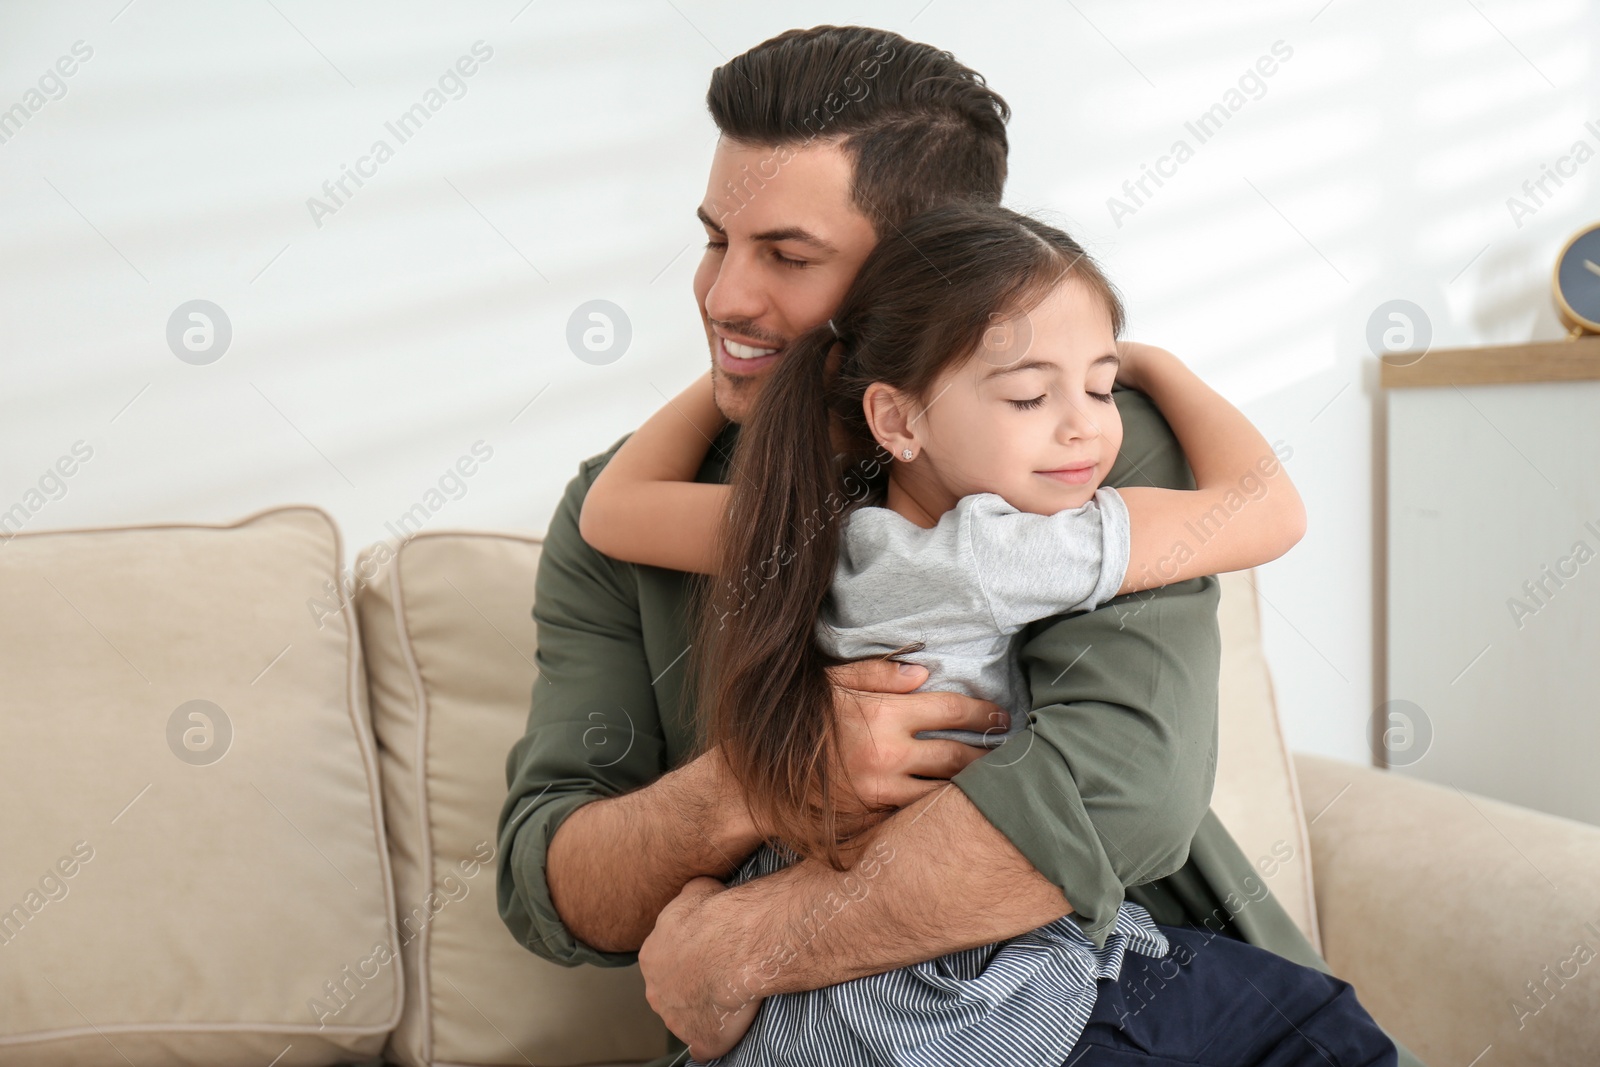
(1033, 567)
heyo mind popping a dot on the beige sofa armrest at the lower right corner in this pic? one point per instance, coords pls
(1463, 922)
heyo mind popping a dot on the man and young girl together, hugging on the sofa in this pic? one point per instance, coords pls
(982, 639)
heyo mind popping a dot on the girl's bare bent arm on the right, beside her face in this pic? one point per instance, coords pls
(1244, 510)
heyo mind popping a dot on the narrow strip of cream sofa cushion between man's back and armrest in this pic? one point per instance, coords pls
(1257, 796)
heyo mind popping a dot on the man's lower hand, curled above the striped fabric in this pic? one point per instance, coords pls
(687, 983)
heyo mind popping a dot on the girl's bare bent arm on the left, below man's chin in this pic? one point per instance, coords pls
(646, 506)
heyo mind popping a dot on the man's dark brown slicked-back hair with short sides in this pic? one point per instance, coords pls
(919, 127)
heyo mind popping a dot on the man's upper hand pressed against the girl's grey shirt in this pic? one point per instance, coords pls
(879, 719)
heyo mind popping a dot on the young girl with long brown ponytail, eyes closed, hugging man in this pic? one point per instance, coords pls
(926, 473)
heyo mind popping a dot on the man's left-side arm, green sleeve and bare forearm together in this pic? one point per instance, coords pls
(590, 805)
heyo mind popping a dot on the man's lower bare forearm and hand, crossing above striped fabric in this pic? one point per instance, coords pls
(937, 877)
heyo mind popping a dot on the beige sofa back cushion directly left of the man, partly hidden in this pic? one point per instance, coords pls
(449, 628)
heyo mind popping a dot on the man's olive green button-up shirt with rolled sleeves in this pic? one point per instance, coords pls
(1108, 794)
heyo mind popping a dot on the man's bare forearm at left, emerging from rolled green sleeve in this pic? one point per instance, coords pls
(617, 863)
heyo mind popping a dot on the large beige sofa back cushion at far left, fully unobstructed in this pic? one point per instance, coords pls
(194, 866)
